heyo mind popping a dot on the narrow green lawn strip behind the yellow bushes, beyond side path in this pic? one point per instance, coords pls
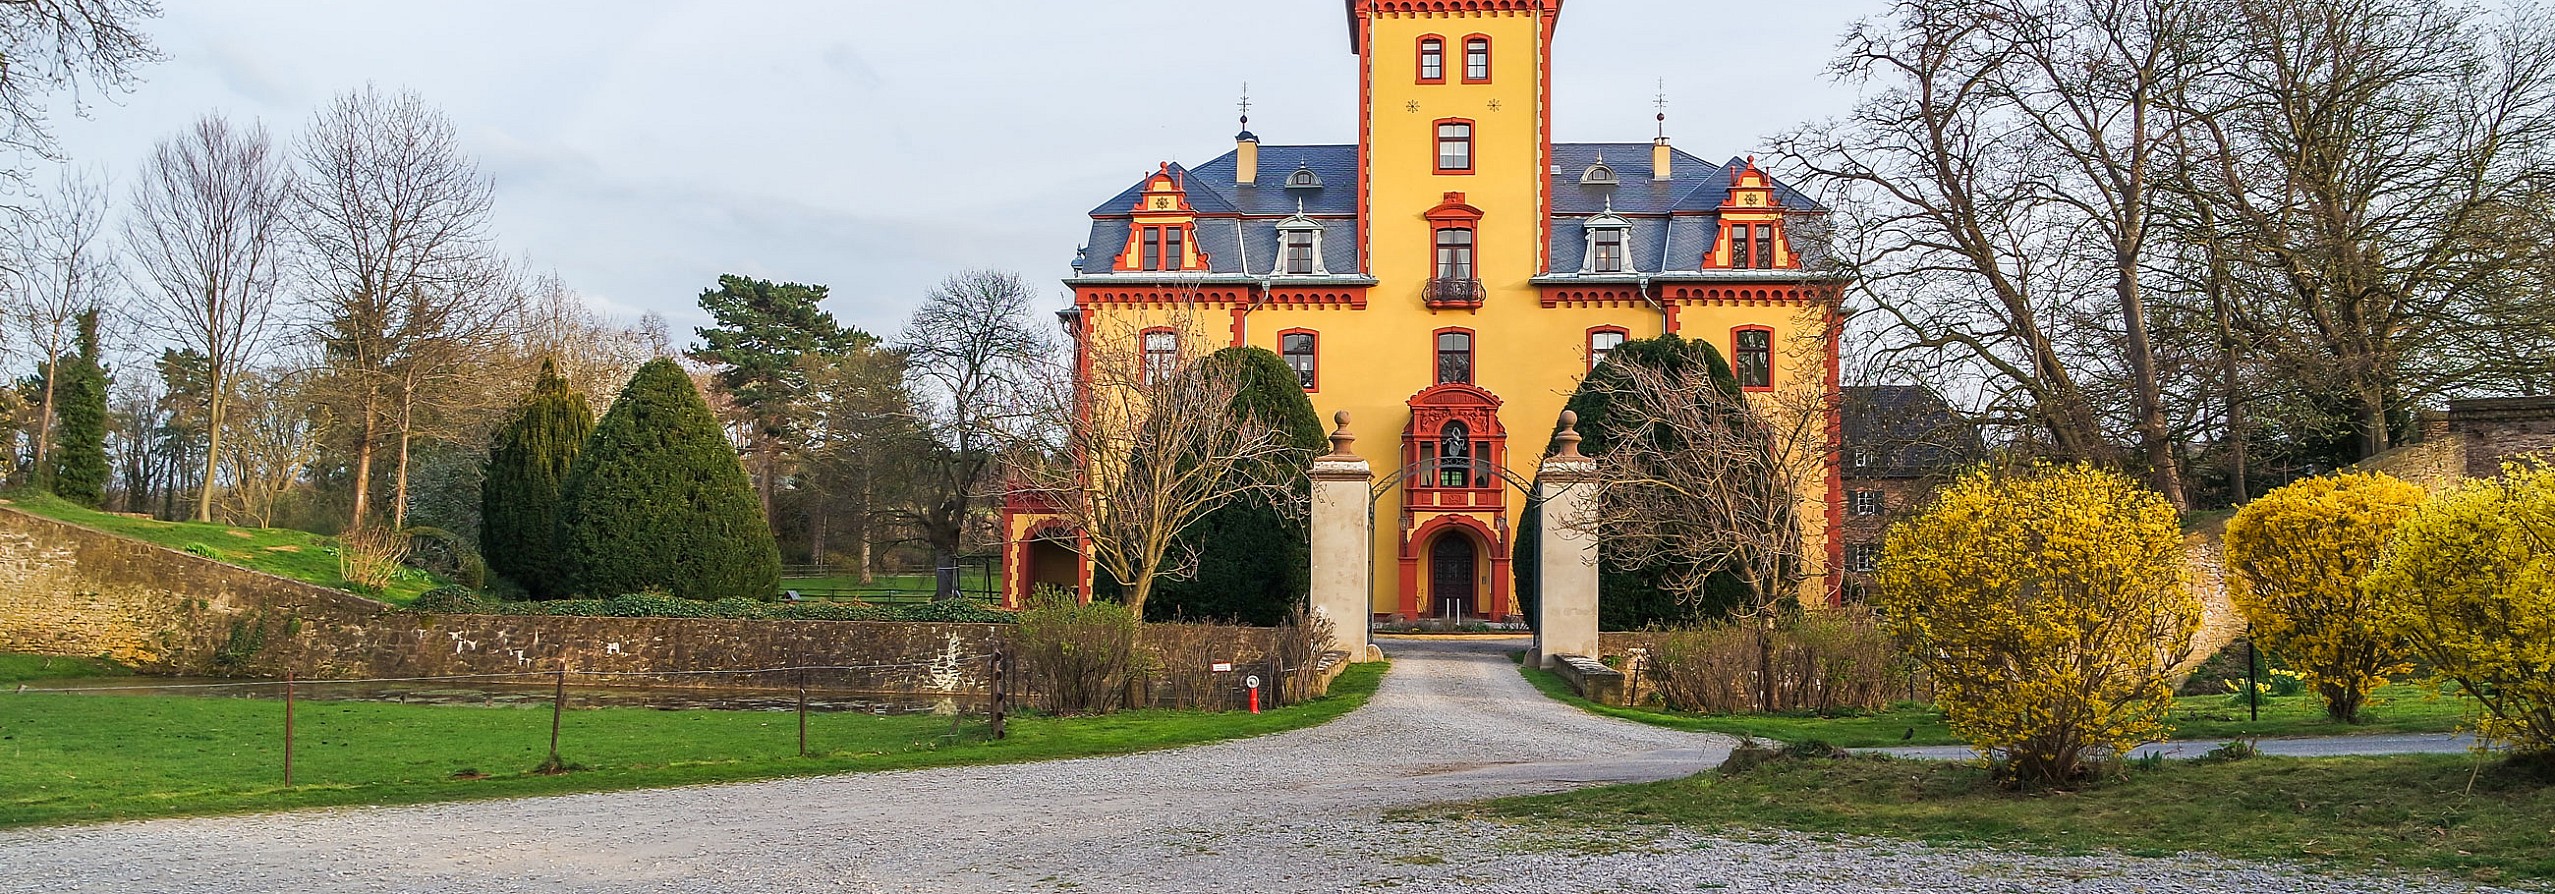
(2400, 709)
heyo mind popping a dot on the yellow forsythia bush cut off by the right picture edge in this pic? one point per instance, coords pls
(2469, 581)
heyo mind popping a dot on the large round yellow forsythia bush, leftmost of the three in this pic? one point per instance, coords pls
(2048, 607)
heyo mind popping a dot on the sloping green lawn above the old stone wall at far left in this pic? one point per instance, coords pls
(282, 553)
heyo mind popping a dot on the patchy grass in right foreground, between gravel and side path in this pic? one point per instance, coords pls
(2434, 814)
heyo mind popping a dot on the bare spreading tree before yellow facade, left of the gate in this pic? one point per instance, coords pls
(1151, 446)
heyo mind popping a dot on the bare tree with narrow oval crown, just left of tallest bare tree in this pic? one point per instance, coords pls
(206, 241)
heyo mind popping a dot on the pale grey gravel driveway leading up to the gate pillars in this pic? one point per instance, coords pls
(1281, 814)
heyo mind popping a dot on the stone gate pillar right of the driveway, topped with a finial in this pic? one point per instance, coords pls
(1567, 553)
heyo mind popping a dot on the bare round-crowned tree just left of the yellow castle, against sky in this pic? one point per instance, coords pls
(977, 364)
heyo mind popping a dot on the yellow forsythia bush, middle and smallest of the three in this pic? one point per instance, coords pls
(2296, 566)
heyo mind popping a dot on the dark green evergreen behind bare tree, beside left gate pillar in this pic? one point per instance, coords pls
(1253, 561)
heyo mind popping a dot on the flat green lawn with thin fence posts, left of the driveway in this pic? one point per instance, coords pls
(111, 757)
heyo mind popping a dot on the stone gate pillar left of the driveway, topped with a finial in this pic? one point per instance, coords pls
(1343, 543)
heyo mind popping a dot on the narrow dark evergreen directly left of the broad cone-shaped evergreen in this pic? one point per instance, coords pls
(520, 497)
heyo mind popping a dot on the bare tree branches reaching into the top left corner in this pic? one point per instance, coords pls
(63, 47)
